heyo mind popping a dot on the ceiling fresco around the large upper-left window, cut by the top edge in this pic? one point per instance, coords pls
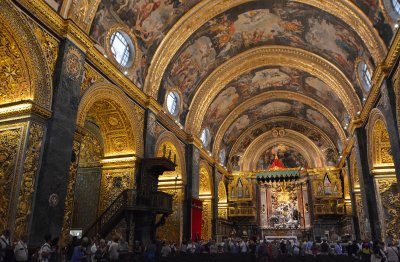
(150, 20)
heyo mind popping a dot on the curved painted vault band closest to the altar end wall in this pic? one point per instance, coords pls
(245, 139)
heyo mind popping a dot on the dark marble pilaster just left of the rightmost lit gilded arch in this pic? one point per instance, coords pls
(368, 190)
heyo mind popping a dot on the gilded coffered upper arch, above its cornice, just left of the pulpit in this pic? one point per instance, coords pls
(120, 119)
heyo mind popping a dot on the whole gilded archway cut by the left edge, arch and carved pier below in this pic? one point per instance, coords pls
(25, 86)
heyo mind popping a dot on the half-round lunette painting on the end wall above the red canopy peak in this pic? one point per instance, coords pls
(288, 155)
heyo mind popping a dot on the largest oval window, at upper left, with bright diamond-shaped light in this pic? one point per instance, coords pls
(121, 47)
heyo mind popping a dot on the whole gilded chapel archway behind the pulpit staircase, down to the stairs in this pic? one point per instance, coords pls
(106, 162)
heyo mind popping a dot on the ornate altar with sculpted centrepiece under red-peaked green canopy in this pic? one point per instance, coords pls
(283, 201)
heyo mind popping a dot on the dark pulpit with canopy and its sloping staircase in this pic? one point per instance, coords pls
(135, 204)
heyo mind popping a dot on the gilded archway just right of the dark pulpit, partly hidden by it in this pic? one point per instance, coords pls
(173, 184)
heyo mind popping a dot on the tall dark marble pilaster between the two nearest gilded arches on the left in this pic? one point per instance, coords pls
(48, 212)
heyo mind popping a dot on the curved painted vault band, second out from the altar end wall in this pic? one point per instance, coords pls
(279, 107)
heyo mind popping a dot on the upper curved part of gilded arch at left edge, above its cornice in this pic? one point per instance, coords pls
(29, 77)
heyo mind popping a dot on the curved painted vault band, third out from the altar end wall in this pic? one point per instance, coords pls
(272, 78)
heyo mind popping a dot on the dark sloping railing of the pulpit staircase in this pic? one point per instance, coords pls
(126, 199)
